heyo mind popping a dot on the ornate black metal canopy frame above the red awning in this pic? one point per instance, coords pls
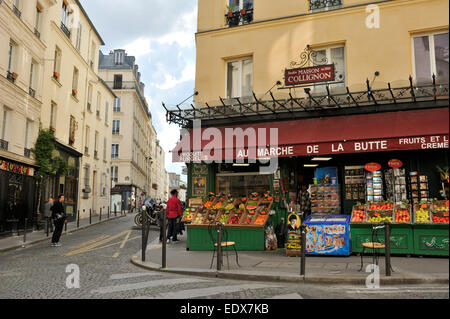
(248, 110)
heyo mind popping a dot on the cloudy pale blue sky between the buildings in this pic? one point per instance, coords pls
(160, 33)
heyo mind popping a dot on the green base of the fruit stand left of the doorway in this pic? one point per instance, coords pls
(247, 238)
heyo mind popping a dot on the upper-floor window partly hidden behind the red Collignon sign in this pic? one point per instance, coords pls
(336, 56)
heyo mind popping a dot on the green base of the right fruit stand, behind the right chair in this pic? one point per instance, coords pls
(402, 238)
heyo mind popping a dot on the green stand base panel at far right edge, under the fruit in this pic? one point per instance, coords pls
(431, 239)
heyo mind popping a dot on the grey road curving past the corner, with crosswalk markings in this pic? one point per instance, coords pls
(102, 255)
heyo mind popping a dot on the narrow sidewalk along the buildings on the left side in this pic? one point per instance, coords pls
(35, 237)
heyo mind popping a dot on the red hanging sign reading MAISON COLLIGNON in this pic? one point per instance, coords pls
(314, 74)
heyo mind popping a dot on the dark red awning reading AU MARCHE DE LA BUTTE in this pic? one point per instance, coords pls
(406, 130)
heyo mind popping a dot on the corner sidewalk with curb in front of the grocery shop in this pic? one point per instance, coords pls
(275, 266)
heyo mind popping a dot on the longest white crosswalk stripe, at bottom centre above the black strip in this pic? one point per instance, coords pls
(203, 292)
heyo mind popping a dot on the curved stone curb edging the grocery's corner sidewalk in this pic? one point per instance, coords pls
(288, 279)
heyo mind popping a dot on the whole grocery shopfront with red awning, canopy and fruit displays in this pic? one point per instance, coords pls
(365, 157)
